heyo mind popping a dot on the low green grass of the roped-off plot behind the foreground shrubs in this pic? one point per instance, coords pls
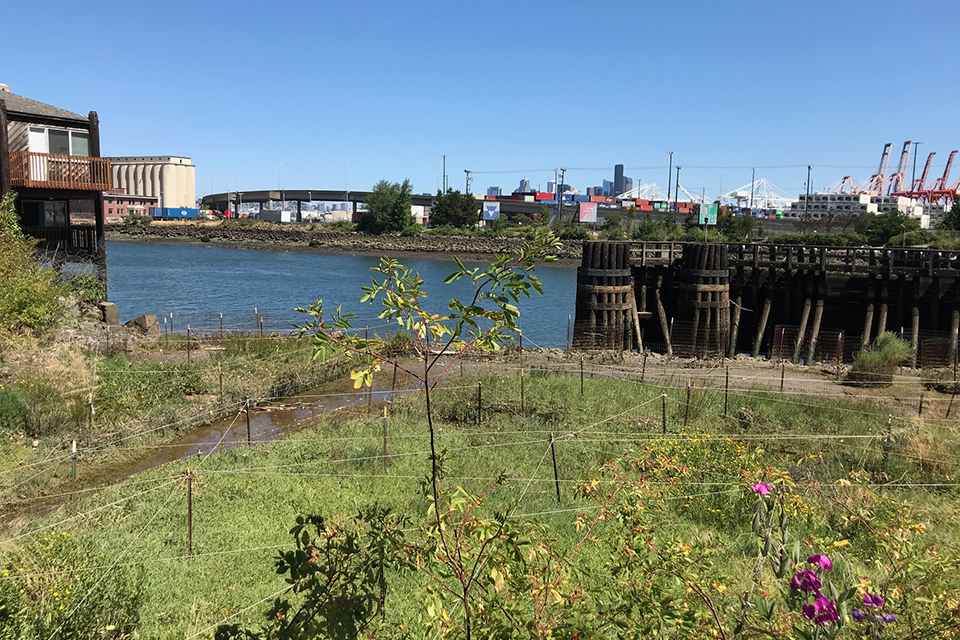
(245, 500)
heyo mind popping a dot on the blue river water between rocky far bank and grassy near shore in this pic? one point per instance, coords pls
(198, 283)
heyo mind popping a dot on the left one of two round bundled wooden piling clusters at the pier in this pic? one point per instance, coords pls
(606, 312)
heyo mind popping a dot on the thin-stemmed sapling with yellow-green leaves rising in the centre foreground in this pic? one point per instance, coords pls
(485, 321)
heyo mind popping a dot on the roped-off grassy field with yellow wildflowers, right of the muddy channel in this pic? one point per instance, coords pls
(871, 490)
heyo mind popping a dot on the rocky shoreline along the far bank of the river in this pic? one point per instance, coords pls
(307, 241)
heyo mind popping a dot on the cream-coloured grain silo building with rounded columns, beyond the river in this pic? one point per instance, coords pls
(172, 179)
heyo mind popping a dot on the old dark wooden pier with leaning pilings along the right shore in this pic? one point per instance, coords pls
(802, 303)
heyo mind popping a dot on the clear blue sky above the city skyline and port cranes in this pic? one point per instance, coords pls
(383, 89)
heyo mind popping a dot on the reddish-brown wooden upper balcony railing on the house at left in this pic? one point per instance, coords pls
(53, 171)
